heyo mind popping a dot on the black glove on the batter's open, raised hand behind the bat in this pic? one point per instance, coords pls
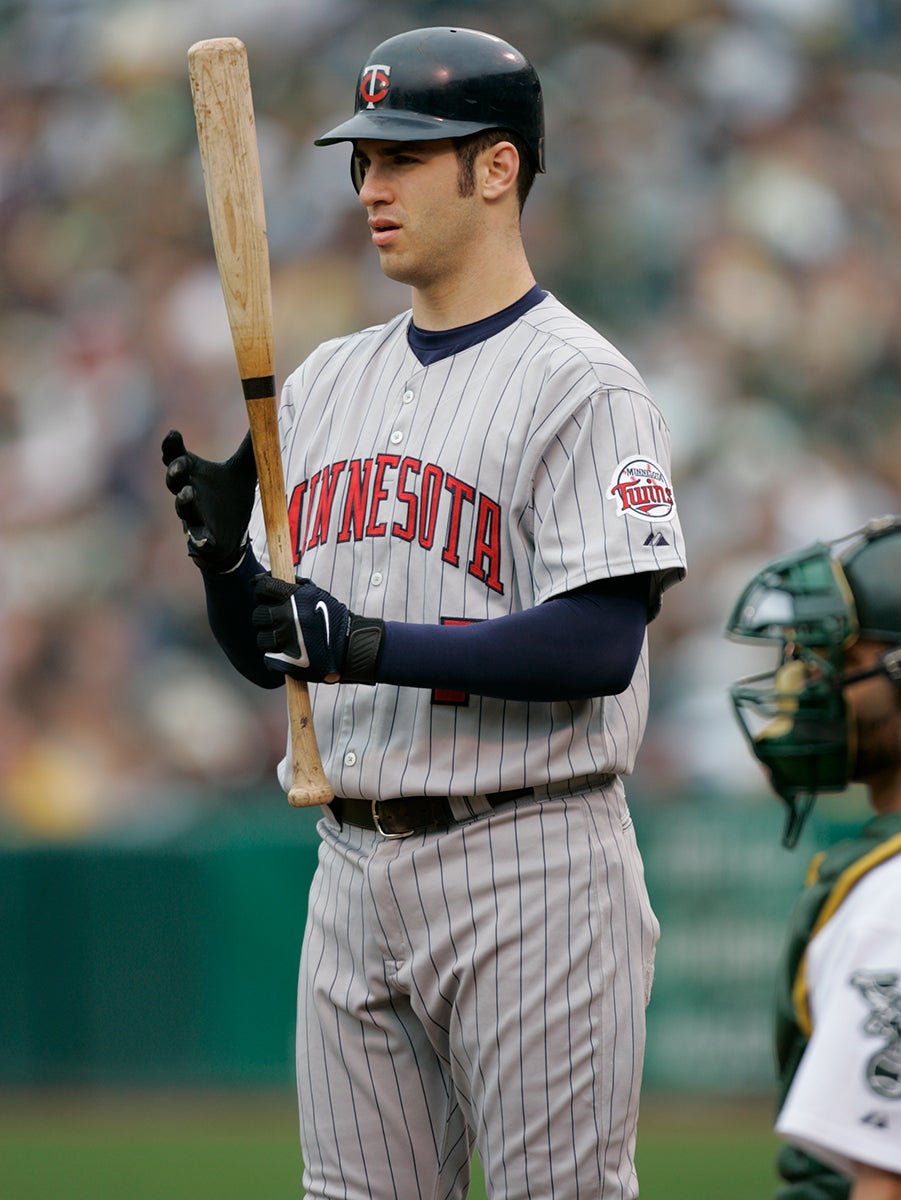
(214, 501)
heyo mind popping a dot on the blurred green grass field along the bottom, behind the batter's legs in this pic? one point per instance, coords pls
(244, 1148)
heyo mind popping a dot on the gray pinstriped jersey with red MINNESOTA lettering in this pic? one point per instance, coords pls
(480, 485)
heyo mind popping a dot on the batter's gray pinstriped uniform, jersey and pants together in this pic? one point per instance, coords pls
(488, 982)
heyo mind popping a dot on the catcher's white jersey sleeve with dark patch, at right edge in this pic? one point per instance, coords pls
(845, 1102)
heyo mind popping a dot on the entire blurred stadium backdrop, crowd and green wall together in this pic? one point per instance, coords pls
(723, 200)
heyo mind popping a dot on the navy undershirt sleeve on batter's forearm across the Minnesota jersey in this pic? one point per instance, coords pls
(580, 645)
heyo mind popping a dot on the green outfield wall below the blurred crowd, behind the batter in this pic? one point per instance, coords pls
(171, 959)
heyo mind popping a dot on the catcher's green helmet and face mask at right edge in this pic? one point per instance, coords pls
(814, 605)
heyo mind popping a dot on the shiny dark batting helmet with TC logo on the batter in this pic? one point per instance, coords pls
(446, 83)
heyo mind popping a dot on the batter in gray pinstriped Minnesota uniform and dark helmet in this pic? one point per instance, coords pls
(479, 493)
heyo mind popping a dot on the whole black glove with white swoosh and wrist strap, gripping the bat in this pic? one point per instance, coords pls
(307, 633)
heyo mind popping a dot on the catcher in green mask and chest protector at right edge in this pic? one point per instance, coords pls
(830, 715)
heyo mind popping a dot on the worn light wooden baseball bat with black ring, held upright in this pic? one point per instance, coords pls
(226, 133)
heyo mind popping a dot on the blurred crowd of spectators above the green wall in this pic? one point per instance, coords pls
(723, 200)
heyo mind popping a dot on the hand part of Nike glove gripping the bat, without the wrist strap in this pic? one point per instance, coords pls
(302, 629)
